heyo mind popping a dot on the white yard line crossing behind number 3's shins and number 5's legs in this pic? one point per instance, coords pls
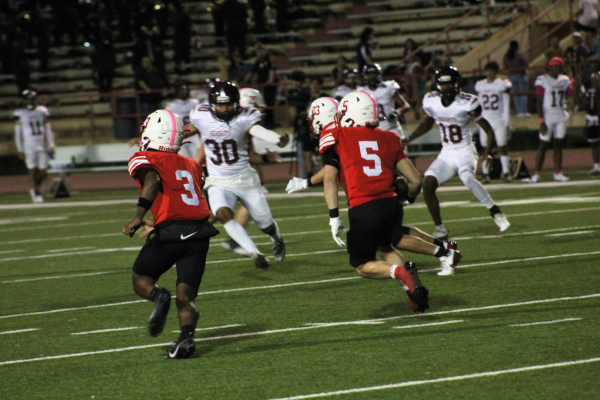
(289, 284)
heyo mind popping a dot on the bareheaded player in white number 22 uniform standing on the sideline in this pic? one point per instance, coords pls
(494, 97)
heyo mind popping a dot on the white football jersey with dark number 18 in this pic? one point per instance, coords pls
(454, 121)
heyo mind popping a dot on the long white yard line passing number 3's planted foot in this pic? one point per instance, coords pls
(312, 326)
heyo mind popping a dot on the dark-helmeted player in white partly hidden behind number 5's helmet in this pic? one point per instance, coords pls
(386, 94)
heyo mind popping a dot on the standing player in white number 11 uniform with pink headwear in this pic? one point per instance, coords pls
(552, 90)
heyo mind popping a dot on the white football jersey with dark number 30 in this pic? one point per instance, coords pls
(225, 143)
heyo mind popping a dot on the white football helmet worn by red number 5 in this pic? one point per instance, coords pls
(358, 109)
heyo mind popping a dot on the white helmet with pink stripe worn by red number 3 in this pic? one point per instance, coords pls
(163, 131)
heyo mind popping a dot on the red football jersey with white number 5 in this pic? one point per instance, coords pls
(368, 157)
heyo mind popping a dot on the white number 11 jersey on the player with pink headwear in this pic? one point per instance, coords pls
(555, 96)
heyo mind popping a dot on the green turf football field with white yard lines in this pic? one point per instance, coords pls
(519, 320)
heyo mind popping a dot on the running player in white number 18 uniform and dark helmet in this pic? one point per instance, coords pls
(453, 111)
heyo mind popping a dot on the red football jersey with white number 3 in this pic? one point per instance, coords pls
(182, 182)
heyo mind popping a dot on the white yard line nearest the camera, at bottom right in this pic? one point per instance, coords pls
(446, 379)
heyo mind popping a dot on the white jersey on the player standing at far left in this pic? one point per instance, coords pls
(32, 125)
